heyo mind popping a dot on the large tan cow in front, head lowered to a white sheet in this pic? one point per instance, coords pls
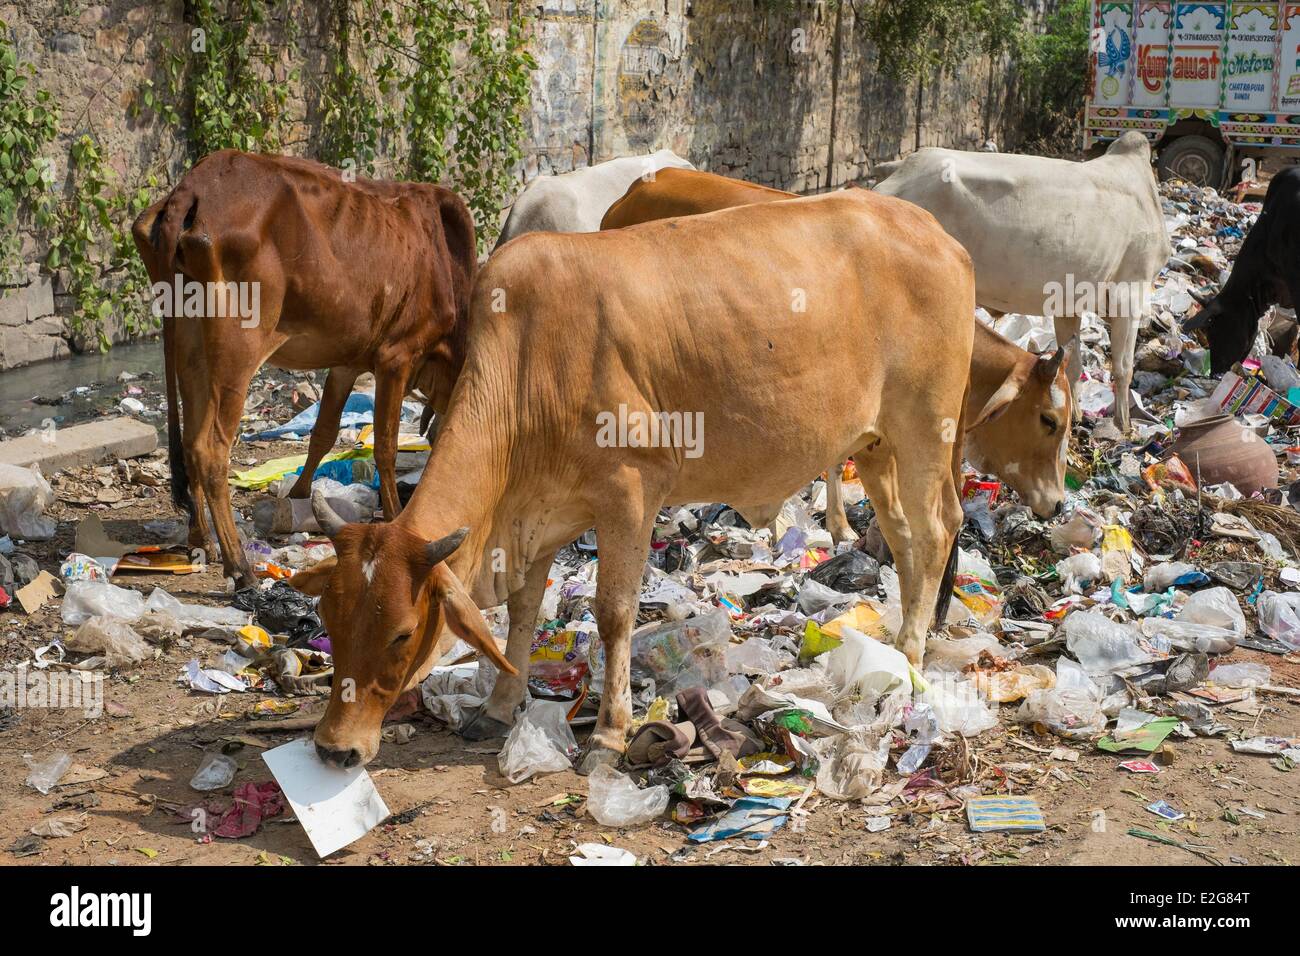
(833, 302)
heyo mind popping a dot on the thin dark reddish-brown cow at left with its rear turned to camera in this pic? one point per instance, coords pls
(363, 276)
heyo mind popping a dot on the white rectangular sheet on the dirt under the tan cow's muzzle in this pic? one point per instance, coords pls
(336, 807)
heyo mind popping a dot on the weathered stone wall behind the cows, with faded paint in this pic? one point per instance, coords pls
(731, 85)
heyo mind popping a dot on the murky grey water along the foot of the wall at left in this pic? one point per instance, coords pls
(81, 388)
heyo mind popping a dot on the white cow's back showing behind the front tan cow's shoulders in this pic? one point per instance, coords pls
(577, 202)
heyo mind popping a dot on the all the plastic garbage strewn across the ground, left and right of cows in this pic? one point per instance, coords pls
(764, 673)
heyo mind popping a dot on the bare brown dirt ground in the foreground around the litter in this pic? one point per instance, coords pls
(452, 807)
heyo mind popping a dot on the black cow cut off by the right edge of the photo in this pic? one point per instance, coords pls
(1267, 274)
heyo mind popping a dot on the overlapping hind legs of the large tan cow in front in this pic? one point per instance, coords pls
(920, 513)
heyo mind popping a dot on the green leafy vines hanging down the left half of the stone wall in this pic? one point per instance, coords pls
(431, 90)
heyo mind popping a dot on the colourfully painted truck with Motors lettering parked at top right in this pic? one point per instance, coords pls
(1214, 86)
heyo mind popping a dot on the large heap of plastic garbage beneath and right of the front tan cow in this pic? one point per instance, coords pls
(764, 671)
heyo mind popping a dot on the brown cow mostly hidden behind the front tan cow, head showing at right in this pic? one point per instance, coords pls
(1025, 401)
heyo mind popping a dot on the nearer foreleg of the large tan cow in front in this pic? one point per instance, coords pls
(623, 527)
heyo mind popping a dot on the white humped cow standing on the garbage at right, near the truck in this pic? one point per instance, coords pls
(1052, 237)
